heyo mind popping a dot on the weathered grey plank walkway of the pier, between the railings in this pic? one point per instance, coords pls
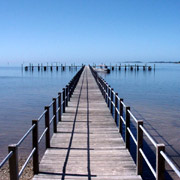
(87, 144)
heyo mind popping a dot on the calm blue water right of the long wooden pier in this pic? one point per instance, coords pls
(154, 96)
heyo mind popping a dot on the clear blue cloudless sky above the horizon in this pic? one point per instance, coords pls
(89, 30)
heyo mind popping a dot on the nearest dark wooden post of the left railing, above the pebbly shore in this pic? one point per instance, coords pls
(13, 162)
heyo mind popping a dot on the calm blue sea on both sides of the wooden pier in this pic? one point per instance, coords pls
(154, 96)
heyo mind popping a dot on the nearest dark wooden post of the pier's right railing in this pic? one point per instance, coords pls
(160, 162)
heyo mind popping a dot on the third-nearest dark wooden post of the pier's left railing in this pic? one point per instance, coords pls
(47, 126)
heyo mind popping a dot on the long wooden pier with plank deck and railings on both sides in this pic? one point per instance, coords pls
(89, 120)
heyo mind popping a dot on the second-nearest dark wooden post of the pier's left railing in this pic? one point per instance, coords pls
(35, 145)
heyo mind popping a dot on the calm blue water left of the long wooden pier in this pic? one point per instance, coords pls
(23, 96)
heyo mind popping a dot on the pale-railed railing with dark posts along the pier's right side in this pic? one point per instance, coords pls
(107, 91)
